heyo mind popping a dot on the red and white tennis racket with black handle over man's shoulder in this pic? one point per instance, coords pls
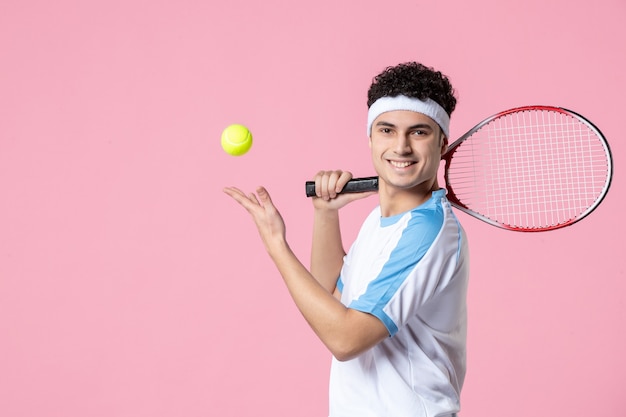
(528, 169)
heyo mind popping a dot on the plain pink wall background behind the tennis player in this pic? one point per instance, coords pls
(131, 286)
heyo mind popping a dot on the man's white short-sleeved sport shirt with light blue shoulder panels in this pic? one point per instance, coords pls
(410, 271)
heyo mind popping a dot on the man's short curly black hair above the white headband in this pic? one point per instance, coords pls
(414, 80)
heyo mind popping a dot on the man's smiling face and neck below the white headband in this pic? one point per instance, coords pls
(406, 149)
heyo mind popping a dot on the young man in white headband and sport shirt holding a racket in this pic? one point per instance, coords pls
(392, 311)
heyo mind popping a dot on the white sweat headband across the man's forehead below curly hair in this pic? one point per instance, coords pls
(427, 107)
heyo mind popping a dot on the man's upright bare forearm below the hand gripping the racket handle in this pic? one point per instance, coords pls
(327, 250)
